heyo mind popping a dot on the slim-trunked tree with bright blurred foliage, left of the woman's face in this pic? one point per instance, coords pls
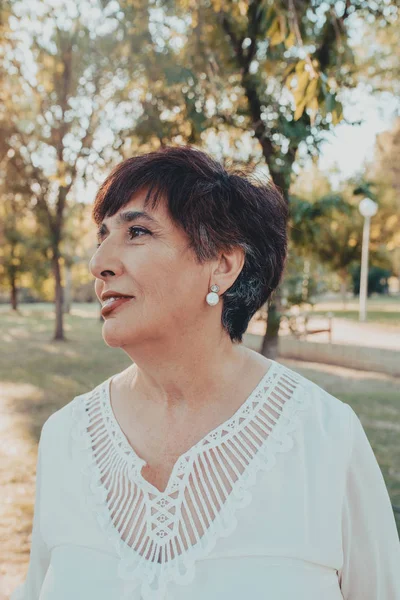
(62, 107)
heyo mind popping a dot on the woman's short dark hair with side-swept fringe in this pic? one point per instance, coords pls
(218, 210)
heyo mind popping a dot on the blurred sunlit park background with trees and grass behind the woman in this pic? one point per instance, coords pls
(303, 91)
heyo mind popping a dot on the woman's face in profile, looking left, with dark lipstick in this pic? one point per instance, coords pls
(148, 258)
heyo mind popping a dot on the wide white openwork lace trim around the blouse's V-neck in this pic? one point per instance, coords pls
(94, 424)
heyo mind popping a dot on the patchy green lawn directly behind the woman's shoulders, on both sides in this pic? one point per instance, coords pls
(38, 376)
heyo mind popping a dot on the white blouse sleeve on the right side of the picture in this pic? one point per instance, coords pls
(371, 547)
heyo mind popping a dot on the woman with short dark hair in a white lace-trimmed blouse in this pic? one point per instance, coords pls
(204, 470)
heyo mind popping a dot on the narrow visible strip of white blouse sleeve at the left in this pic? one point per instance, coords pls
(39, 555)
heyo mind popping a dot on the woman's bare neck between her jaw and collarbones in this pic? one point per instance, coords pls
(184, 373)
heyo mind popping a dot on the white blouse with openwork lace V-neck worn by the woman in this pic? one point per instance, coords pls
(283, 500)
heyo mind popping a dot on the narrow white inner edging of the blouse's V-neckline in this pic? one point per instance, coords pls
(185, 457)
